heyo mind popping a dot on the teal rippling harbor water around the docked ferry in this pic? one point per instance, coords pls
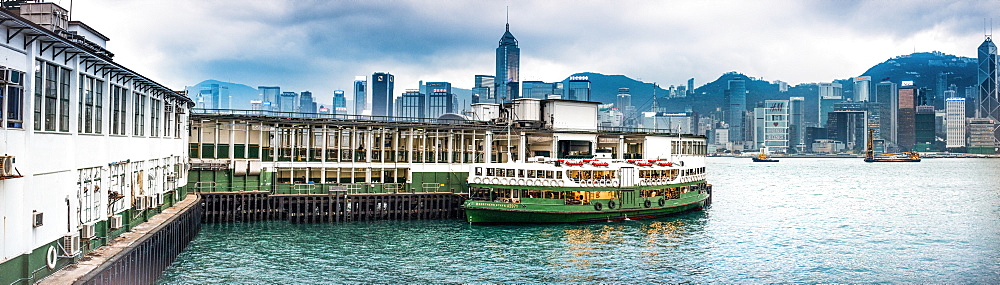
(809, 220)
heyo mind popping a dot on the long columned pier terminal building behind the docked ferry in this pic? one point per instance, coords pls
(285, 153)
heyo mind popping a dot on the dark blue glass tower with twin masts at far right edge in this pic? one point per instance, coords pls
(989, 96)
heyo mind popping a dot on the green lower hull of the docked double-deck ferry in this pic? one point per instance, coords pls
(505, 216)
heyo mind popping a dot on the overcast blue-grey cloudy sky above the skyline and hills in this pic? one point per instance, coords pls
(320, 46)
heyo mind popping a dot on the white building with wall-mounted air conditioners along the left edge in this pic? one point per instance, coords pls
(90, 148)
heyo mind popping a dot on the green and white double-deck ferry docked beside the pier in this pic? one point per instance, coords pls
(584, 190)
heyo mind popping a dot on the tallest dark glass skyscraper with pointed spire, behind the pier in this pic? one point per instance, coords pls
(508, 64)
